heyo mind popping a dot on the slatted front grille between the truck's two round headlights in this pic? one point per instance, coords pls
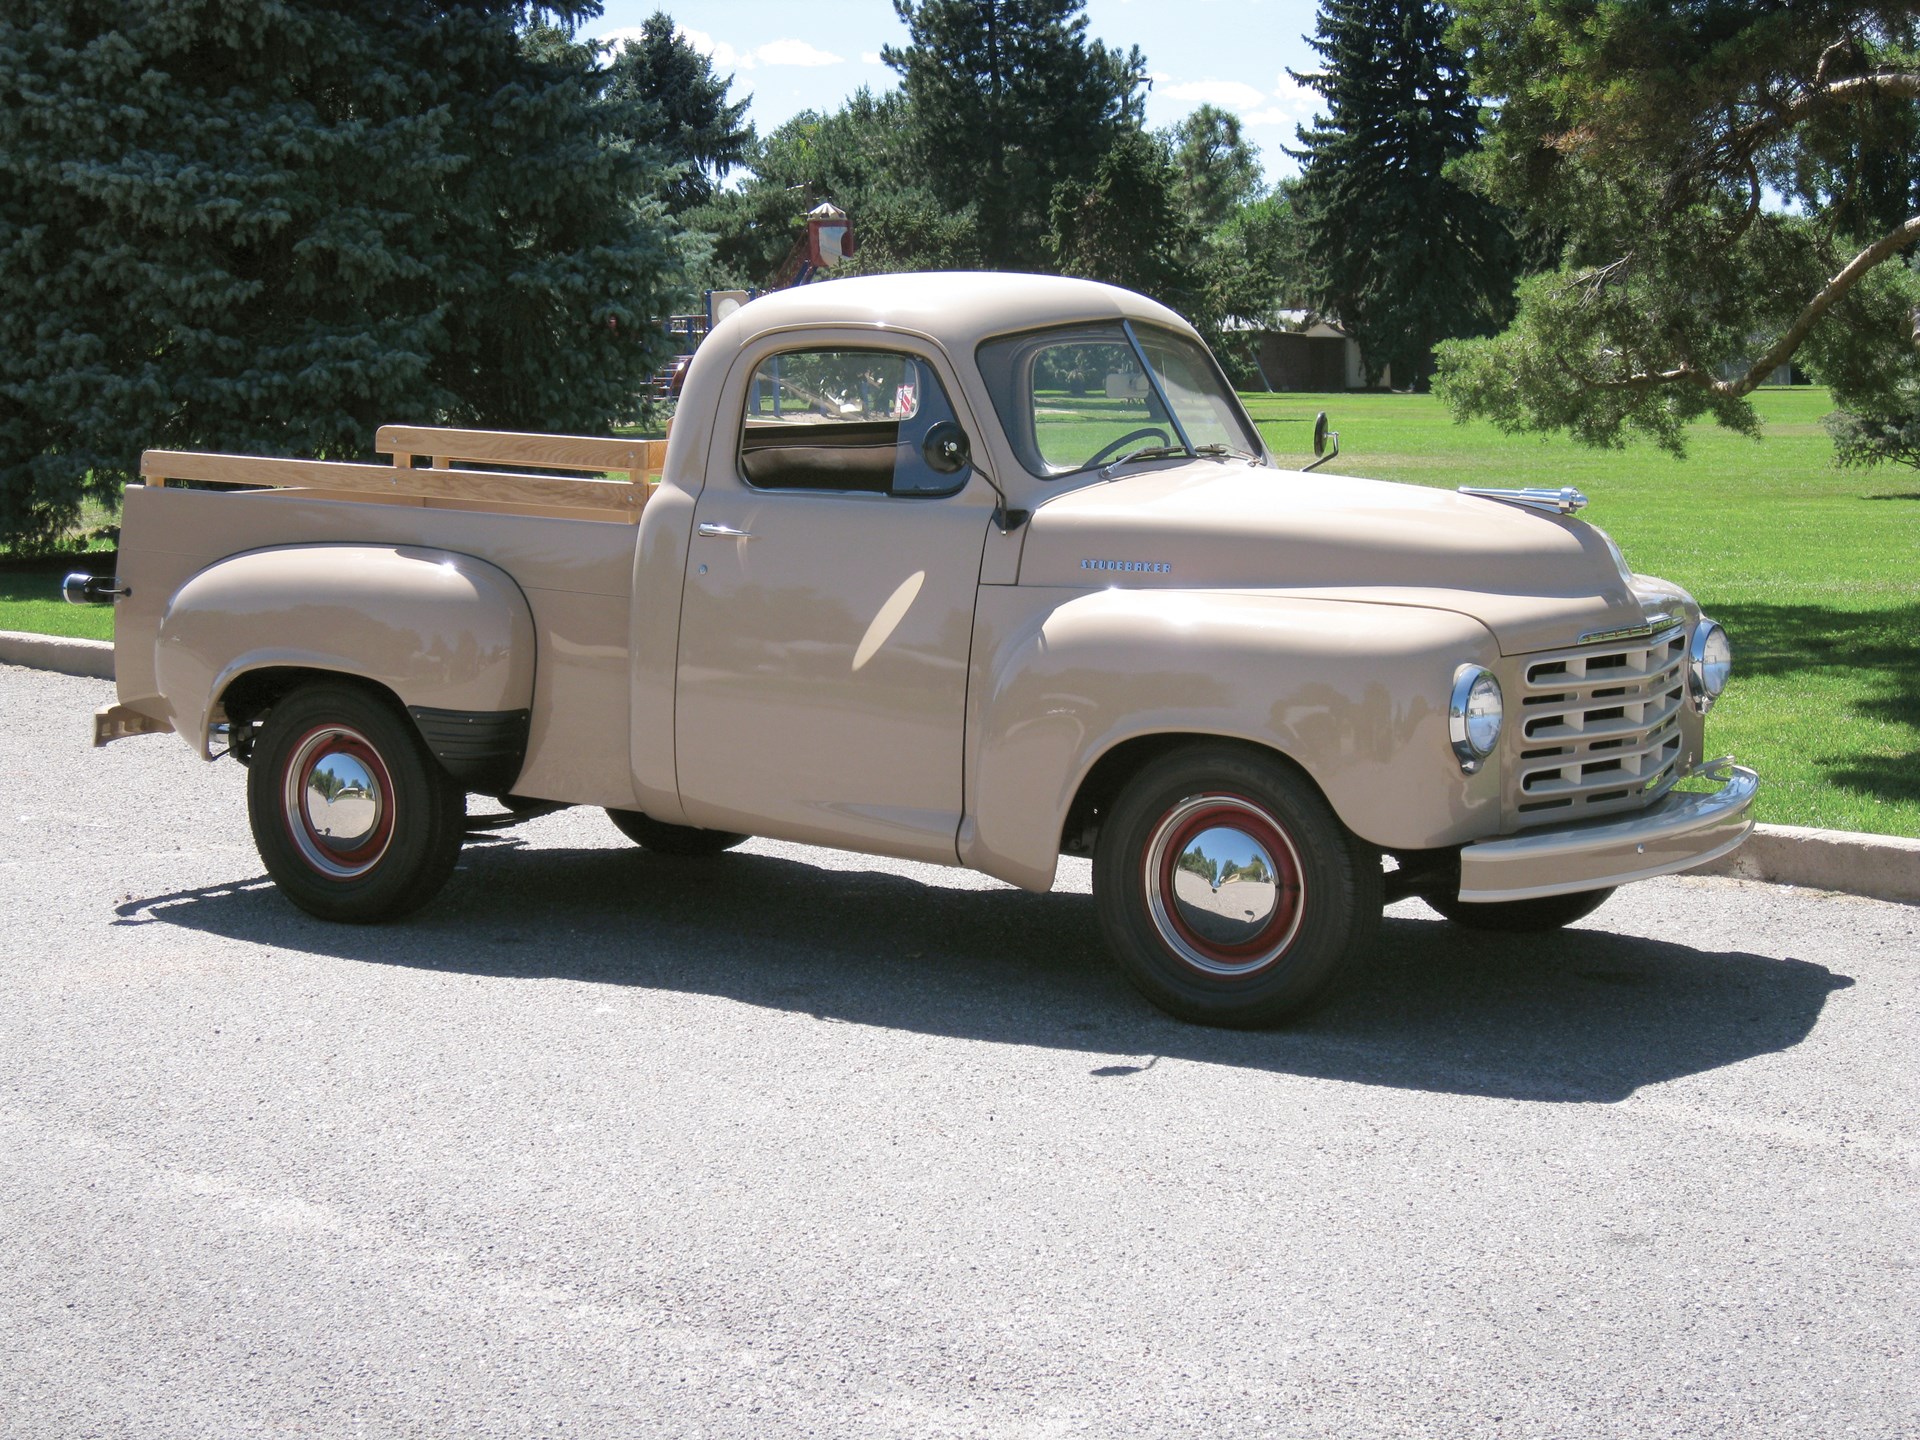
(1596, 731)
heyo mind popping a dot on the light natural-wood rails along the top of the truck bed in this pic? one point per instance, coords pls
(638, 460)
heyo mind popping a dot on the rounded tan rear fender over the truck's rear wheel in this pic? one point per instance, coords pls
(441, 631)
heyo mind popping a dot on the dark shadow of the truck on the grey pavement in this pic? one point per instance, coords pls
(1577, 1017)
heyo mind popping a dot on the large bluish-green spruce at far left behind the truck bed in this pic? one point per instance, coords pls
(274, 226)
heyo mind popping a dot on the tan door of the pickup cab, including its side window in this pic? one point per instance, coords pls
(828, 608)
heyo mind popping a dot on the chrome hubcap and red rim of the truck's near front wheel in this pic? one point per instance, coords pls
(1224, 884)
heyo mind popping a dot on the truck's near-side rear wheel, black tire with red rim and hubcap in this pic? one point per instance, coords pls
(412, 823)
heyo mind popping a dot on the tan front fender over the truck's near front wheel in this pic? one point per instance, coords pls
(1355, 694)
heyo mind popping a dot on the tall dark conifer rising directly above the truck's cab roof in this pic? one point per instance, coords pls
(1009, 101)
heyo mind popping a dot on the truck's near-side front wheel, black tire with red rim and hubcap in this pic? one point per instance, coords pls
(1184, 951)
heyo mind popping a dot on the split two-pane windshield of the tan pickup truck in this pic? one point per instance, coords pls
(1076, 398)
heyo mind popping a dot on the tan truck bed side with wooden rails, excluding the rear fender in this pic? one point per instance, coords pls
(569, 544)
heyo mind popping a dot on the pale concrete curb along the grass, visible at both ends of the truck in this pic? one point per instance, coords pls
(1877, 867)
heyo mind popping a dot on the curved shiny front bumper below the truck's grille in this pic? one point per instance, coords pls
(1677, 832)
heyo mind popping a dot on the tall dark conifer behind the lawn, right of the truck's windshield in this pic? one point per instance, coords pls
(1401, 254)
